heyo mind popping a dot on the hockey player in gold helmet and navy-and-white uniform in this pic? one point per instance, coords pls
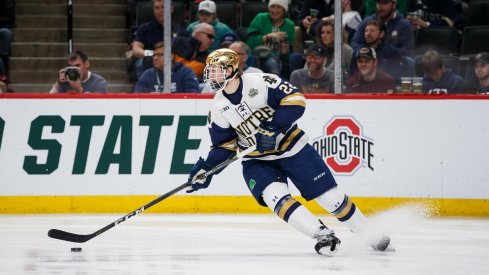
(262, 110)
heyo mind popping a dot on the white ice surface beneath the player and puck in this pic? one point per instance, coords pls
(239, 244)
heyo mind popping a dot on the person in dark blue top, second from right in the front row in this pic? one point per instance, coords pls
(437, 79)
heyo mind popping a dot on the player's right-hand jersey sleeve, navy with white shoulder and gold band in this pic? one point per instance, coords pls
(285, 98)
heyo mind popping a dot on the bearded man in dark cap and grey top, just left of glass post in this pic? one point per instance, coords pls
(315, 78)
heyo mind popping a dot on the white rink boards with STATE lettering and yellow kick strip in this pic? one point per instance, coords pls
(115, 153)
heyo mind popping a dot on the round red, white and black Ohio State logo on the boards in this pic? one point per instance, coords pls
(343, 147)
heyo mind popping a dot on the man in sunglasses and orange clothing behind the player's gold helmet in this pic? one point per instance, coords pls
(192, 51)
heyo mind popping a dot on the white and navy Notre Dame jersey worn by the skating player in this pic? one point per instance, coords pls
(234, 119)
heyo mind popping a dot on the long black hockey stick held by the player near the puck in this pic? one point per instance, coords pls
(78, 238)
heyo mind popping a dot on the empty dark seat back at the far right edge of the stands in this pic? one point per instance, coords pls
(475, 39)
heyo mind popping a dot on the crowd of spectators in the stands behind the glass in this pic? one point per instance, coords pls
(294, 39)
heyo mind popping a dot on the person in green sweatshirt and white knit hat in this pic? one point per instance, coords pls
(274, 33)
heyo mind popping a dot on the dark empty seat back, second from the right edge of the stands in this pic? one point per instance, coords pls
(444, 40)
